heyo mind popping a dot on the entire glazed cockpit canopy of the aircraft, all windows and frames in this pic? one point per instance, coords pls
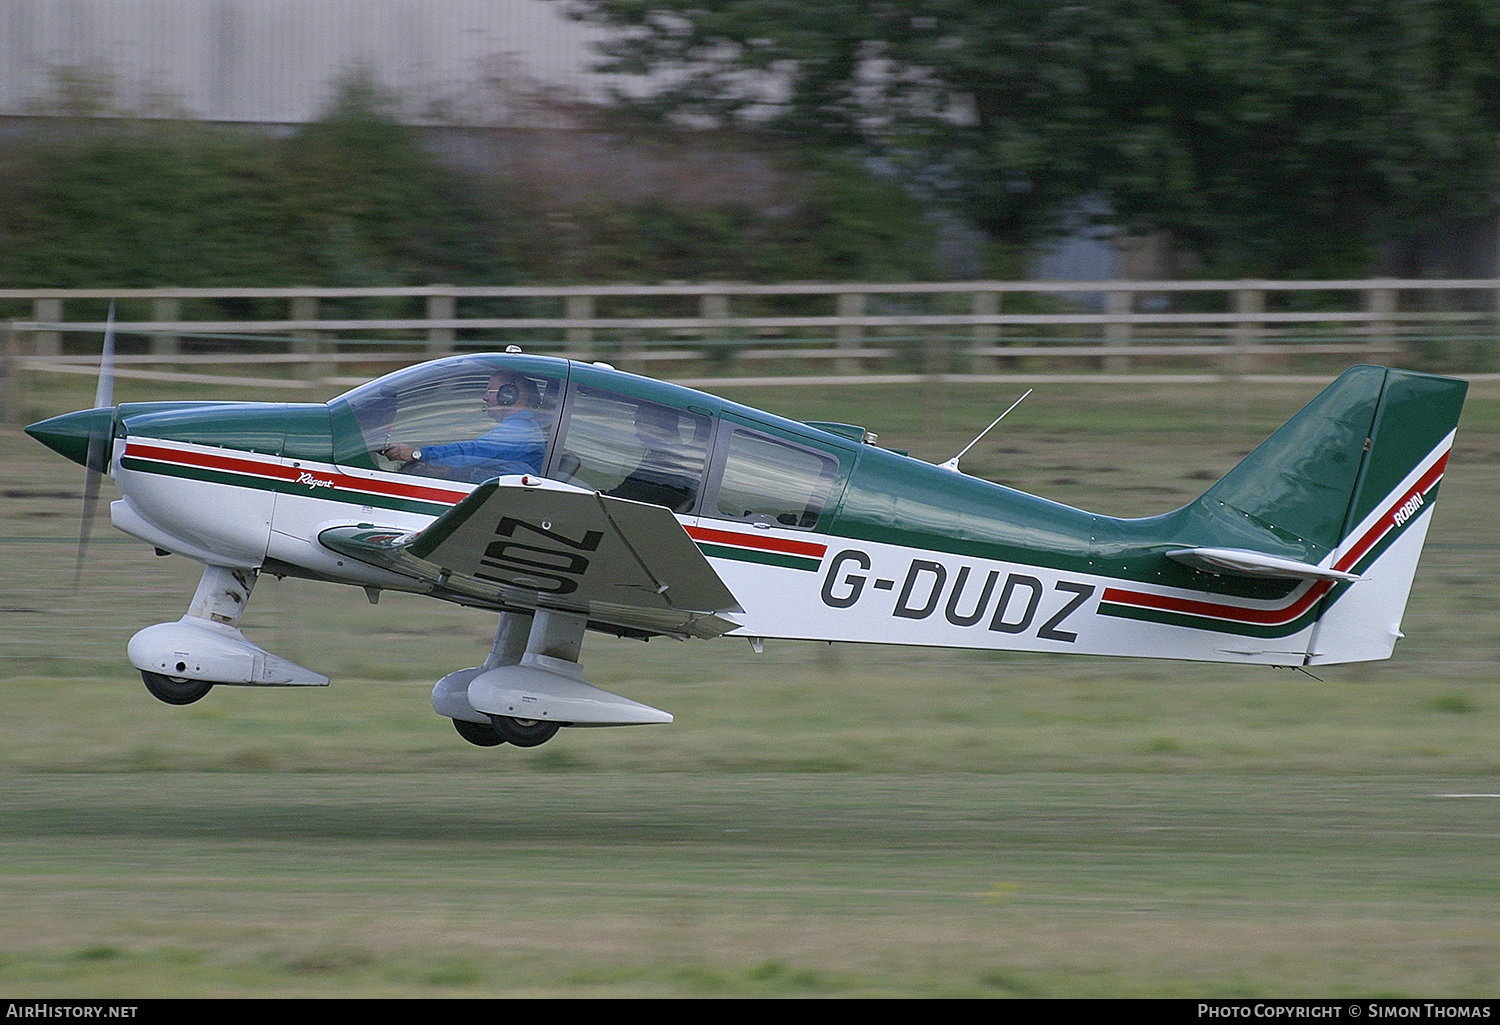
(484, 416)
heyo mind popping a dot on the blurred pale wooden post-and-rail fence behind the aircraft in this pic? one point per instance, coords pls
(301, 338)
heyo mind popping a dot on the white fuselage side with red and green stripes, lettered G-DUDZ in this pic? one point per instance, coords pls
(248, 511)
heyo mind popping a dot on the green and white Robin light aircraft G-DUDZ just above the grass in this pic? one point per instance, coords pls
(589, 499)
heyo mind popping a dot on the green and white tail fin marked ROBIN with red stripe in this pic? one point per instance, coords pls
(1346, 490)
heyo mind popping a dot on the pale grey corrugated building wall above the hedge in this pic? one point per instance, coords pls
(274, 61)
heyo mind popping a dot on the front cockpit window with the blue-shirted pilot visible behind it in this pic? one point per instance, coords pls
(461, 419)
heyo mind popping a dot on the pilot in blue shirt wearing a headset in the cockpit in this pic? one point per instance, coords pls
(515, 445)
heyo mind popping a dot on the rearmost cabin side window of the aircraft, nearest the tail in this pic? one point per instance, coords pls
(775, 482)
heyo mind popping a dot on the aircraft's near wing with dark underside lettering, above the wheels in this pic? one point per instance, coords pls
(526, 543)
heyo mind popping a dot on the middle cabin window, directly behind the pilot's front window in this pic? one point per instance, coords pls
(632, 448)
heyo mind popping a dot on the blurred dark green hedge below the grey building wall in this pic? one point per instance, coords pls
(356, 199)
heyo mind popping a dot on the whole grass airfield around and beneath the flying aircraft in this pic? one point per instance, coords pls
(820, 822)
